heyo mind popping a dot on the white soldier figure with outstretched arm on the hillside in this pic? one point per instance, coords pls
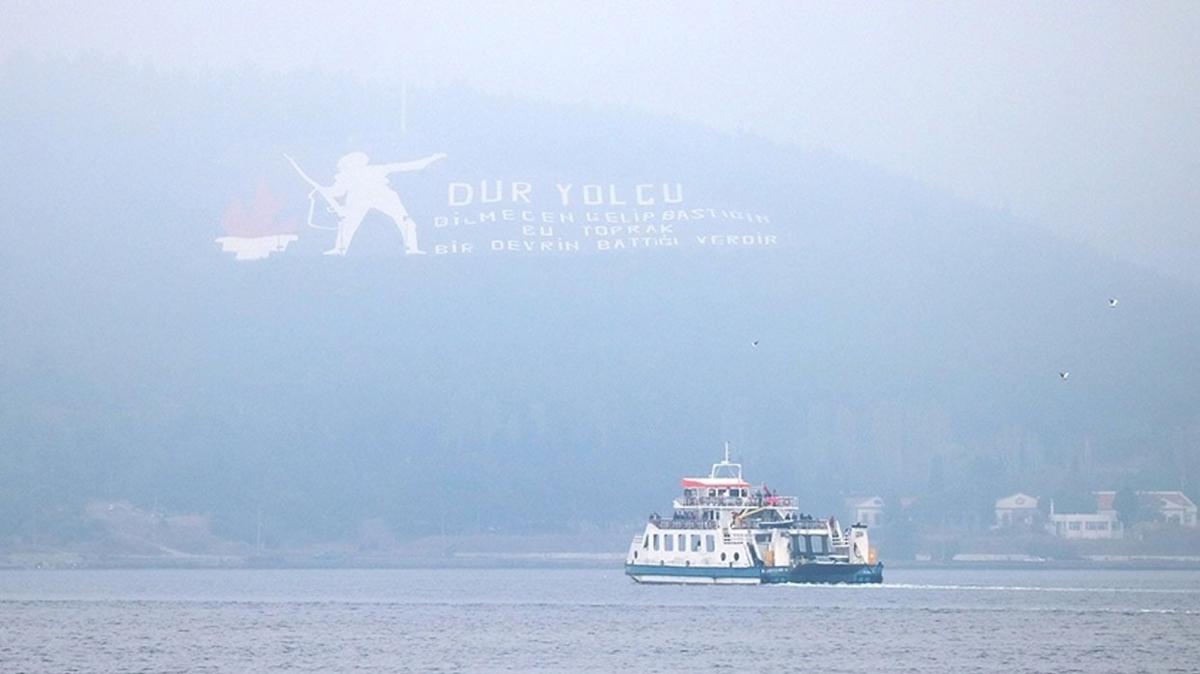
(365, 186)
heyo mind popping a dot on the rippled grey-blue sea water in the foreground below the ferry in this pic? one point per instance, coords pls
(595, 621)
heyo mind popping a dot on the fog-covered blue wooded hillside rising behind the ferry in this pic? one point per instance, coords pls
(909, 342)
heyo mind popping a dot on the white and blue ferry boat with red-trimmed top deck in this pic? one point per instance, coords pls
(722, 532)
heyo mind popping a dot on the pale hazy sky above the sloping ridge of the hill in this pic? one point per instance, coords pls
(1078, 116)
